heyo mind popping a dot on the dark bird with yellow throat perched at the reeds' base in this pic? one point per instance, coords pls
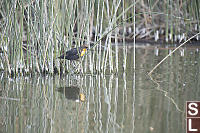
(74, 53)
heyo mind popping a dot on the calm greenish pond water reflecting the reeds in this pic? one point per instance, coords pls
(127, 102)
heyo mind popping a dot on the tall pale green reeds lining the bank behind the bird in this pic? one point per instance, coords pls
(35, 32)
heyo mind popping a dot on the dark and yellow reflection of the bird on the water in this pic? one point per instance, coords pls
(72, 93)
